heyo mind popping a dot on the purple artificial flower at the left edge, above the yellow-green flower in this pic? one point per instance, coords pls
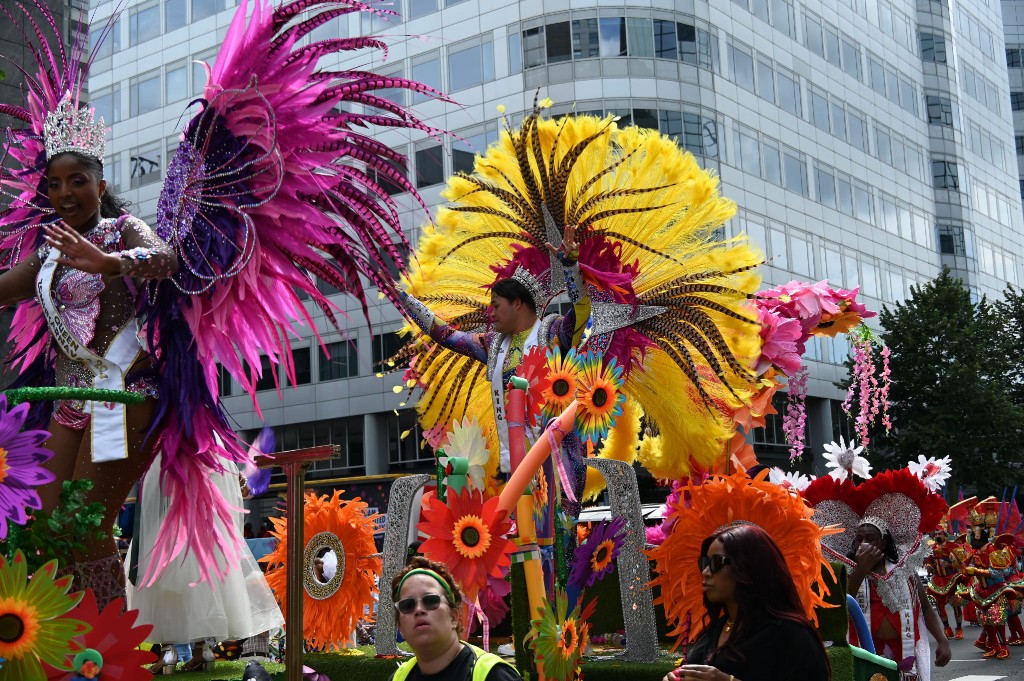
(21, 470)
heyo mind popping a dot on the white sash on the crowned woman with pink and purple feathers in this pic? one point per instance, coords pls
(109, 428)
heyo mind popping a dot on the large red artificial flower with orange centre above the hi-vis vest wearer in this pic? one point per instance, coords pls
(468, 535)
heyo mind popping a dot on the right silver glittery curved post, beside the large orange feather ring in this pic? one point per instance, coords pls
(634, 573)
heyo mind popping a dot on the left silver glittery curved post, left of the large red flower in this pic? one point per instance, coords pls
(396, 547)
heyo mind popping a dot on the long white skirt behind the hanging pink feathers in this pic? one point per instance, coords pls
(240, 607)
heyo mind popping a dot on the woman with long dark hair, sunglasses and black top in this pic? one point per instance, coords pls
(755, 624)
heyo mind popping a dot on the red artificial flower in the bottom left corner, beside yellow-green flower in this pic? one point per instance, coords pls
(115, 637)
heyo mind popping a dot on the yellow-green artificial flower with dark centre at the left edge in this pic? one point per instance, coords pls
(33, 626)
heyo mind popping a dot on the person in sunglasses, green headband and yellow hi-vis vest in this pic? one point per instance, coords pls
(429, 605)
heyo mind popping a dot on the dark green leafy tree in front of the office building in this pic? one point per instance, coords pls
(954, 380)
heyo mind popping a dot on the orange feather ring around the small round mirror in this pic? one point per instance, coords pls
(332, 620)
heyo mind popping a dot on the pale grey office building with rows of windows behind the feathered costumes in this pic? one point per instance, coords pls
(866, 142)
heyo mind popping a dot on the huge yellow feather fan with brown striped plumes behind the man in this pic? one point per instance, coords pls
(648, 217)
